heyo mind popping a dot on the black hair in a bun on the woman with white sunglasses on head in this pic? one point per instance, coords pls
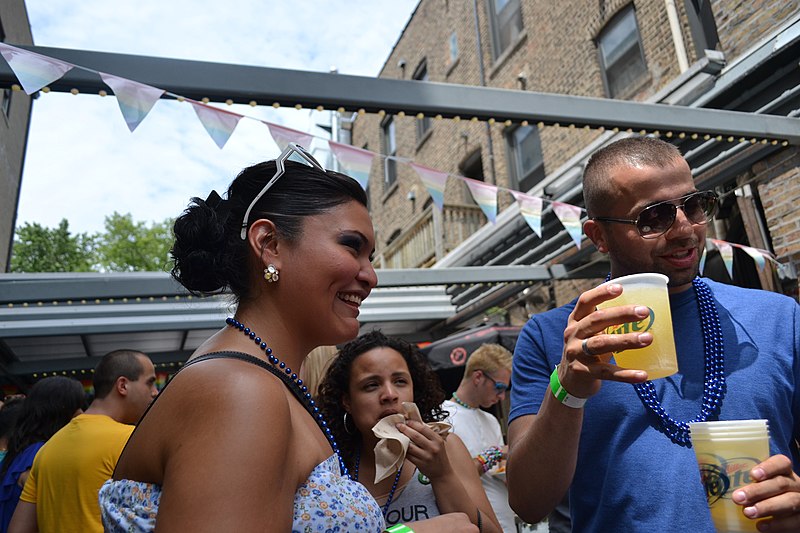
(210, 256)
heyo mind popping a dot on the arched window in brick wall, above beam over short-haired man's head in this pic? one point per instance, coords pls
(621, 56)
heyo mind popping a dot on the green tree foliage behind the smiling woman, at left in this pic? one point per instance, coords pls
(123, 246)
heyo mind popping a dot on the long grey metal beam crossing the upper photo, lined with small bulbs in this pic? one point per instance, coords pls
(243, 84)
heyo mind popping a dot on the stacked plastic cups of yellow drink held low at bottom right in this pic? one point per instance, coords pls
(726, 451)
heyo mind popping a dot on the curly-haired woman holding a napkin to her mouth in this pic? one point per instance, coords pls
(371, 378)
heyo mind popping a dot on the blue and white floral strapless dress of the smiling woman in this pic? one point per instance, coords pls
(327, 501)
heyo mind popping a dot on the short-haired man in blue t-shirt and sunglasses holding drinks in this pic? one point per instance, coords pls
(618, 442)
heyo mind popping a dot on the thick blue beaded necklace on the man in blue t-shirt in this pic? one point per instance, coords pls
(713, 374)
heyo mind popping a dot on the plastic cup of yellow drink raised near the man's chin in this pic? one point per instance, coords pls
(659, 358)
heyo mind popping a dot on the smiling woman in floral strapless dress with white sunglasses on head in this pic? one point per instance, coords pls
(235, 442)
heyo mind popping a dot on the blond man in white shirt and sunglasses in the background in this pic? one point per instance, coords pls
(486, 379)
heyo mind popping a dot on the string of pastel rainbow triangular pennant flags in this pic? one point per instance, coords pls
(35, 71)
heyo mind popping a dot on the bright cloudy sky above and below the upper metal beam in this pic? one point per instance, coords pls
(83, 163)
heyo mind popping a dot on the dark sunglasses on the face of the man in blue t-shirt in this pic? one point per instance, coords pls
(654, 220)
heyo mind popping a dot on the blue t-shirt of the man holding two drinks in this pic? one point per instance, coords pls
(630, 476)
